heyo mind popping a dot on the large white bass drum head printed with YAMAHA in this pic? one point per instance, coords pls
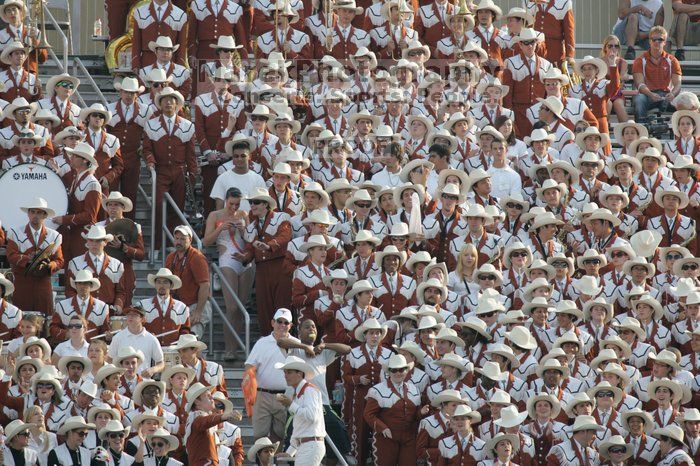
(21, 184)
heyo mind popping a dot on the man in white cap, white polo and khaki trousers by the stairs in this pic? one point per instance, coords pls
(269, 415)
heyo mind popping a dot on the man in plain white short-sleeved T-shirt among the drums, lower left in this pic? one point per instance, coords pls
(136, 336)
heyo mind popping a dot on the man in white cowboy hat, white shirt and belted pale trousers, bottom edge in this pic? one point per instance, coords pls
(307, 443)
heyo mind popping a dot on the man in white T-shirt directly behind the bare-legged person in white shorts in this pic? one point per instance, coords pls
(240, 176)
